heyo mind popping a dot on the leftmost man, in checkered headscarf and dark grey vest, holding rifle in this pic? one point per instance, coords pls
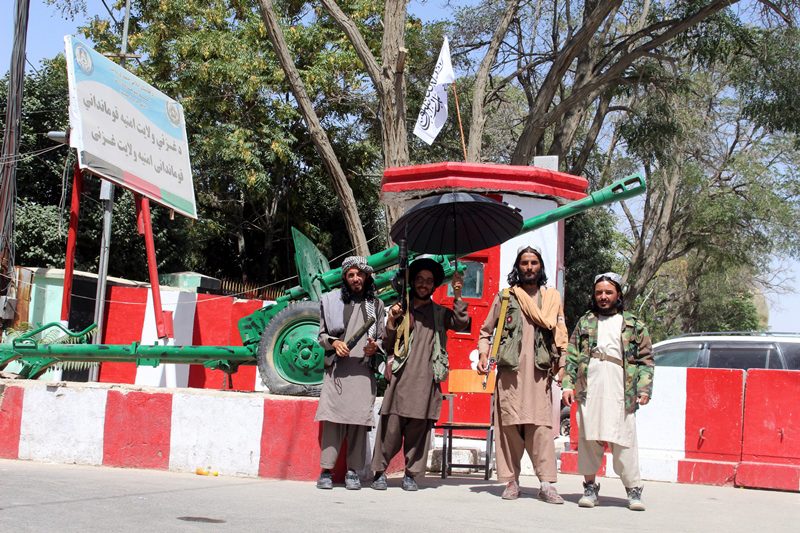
(351, 328)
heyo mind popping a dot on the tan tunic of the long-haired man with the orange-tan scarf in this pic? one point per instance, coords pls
(522, 397)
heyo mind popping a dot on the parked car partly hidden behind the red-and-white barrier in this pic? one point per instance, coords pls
(743, 350)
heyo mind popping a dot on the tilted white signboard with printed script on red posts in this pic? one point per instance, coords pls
(127, 131)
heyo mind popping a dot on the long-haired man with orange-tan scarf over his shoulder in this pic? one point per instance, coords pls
(530, 334)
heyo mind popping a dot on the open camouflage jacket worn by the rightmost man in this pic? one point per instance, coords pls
(638, 360)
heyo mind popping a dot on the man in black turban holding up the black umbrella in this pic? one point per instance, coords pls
(413, 399)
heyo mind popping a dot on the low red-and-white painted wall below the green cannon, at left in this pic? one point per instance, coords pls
(238, 434)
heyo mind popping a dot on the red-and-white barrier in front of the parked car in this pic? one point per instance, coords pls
(717, 427)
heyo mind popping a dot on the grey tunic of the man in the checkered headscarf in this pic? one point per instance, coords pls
(348, 386)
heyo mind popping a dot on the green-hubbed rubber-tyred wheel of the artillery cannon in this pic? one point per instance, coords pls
(290, 360)
